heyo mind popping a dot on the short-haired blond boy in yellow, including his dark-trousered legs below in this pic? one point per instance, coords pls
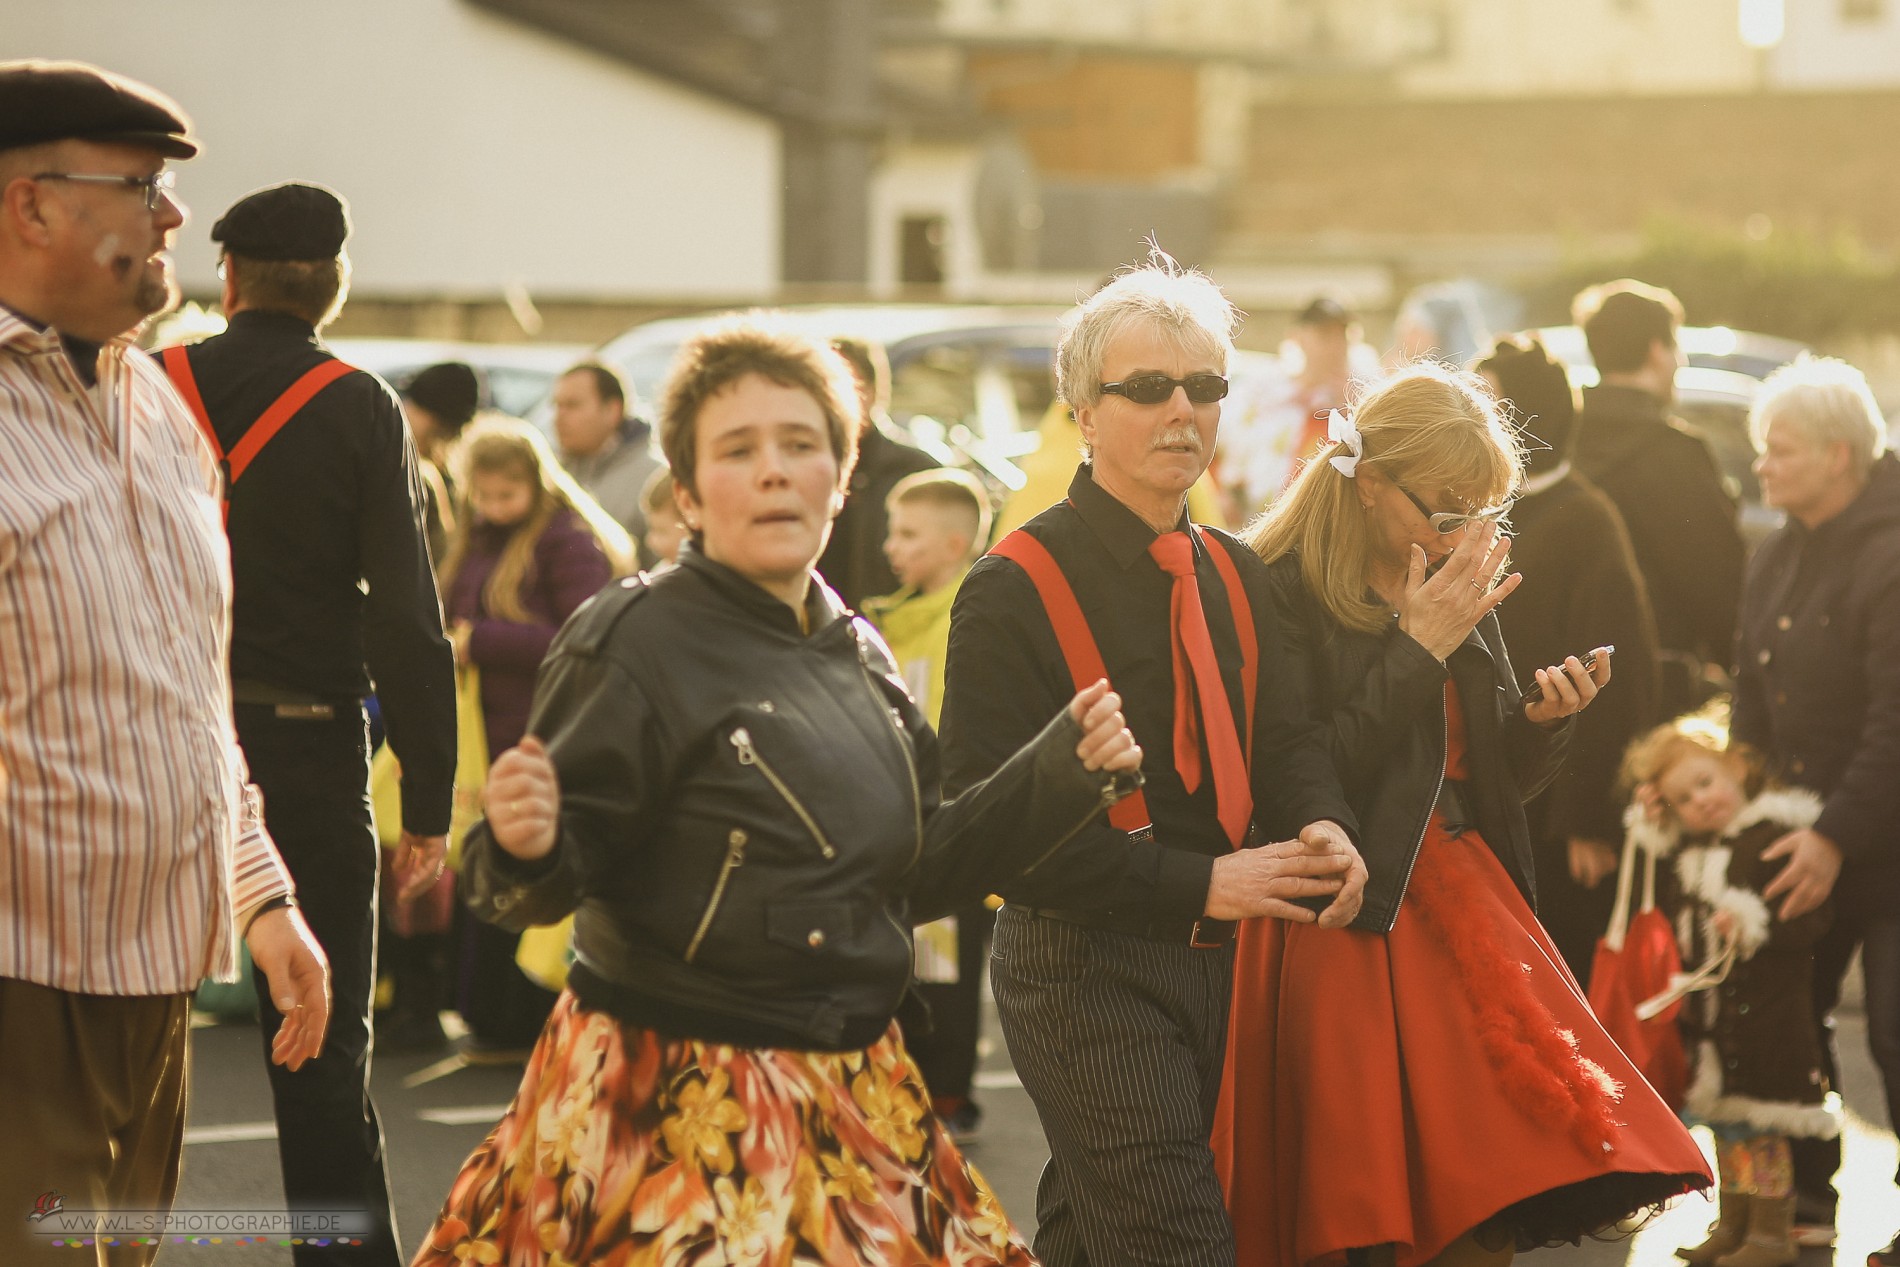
(940, 521)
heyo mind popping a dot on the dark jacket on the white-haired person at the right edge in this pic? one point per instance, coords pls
(1819, 675)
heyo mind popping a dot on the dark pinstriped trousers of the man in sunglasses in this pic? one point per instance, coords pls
(1120, 1044)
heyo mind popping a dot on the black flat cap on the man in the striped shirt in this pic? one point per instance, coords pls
(73, 102)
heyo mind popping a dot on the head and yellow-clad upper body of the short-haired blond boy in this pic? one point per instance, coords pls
(940, 521)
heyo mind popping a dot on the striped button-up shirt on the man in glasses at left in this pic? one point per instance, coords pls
(130, 837)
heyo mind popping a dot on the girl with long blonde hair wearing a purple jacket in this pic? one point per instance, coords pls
(529, 550)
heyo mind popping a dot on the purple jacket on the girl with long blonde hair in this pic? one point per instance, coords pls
(569, 569)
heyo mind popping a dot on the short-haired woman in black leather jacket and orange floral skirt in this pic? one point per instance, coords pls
(731, 789)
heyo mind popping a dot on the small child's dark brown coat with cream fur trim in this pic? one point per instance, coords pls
(1758, 1053)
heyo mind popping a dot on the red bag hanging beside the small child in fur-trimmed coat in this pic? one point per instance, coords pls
(1637, 960)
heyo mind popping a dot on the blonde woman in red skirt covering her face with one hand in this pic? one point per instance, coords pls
(1430, 1084)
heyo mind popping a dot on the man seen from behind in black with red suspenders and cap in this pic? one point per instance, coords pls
(333, 596)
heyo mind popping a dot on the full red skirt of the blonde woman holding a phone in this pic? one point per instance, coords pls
(1439, 1080)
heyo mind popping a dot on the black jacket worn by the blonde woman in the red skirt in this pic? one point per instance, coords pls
(1386, 698)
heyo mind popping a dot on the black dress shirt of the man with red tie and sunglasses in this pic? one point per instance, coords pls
(1006, 679)
